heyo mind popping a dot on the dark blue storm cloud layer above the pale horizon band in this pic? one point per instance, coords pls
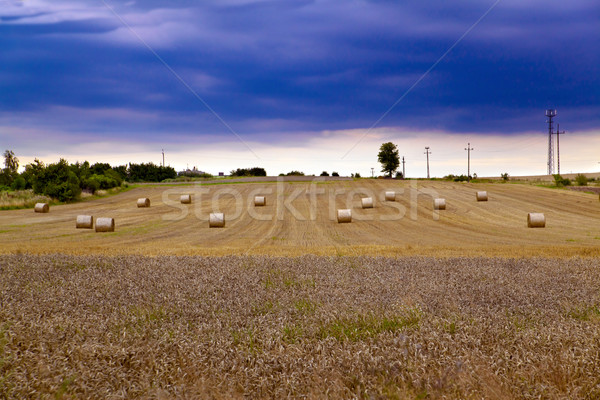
(315, 64)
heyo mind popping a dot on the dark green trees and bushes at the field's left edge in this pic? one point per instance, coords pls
(65, 182)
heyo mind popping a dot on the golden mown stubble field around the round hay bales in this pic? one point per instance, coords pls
(289, 227)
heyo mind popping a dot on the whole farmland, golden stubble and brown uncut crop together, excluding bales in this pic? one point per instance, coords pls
(403, 302)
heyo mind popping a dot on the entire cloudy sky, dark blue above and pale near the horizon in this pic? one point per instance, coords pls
(302, 85)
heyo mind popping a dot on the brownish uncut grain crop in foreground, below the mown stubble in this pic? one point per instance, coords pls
(317, 327)
